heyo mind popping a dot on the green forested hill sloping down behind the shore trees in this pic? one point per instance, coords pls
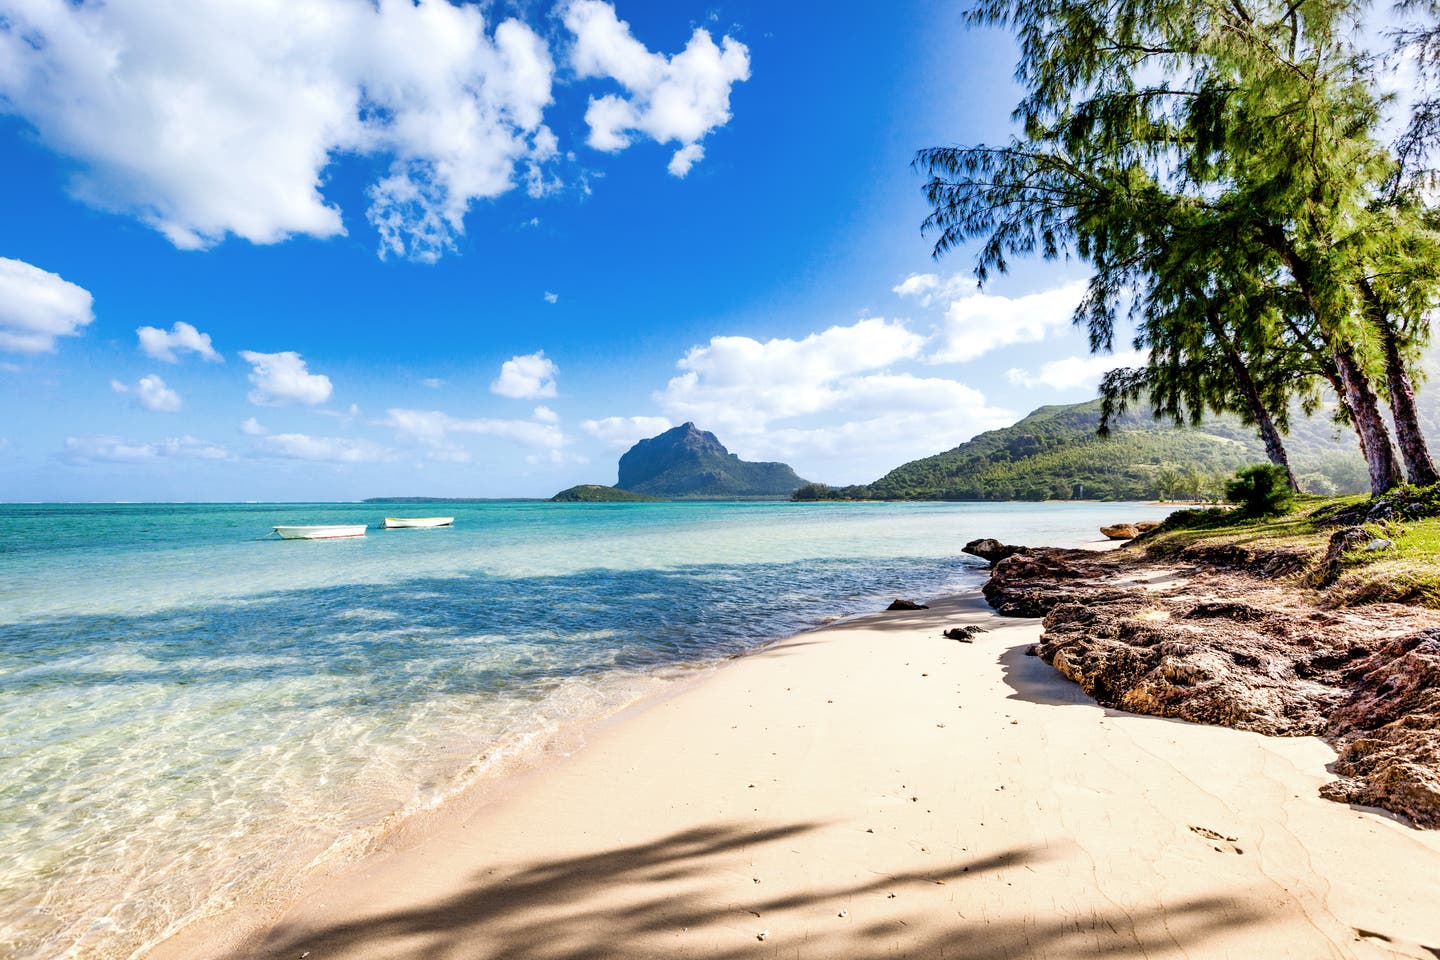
(1055, 454)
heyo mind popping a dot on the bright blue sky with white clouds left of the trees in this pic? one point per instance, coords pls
(336, 250)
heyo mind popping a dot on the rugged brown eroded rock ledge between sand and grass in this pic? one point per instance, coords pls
(1229, 641)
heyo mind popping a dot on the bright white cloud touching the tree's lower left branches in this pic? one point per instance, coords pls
(976, 325)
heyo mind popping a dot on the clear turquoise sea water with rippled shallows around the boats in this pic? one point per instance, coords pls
(192, 715)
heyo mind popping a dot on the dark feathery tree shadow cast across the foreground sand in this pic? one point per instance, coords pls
(626, 903)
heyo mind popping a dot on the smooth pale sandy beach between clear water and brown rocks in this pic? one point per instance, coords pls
(876, 791)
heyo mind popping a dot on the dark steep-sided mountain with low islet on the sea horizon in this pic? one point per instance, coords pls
(689, 464)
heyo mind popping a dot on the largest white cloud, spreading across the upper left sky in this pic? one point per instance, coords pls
(207, 119)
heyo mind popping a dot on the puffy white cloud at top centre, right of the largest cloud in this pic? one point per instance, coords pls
(670, 99)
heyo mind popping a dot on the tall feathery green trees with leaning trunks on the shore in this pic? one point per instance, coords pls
(1223, 168)
